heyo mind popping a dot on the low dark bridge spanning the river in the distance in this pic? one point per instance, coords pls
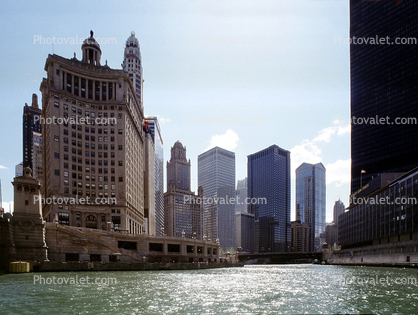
(281, 258)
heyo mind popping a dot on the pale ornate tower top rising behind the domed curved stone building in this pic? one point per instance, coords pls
(132, 63)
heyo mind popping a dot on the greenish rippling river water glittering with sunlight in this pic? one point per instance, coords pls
(254, 289)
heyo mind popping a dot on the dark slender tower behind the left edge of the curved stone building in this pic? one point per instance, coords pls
(31, 124)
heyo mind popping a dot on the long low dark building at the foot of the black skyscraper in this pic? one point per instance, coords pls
(390, 215)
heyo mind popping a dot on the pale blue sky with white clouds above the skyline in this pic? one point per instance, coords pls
(238, 74)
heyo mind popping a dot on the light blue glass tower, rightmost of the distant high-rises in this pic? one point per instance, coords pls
(311, 200)
